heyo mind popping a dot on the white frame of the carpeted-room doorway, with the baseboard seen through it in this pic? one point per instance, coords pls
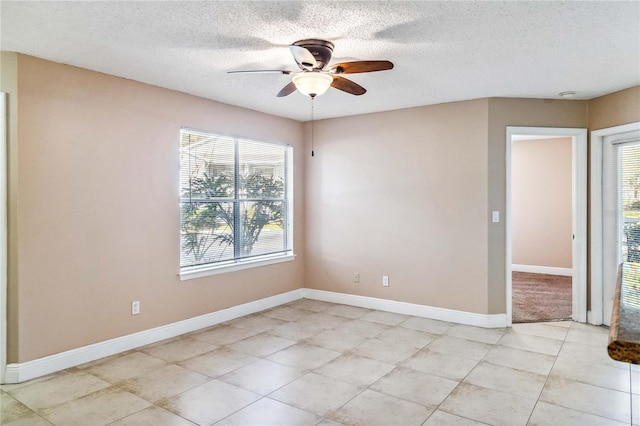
(576, 268)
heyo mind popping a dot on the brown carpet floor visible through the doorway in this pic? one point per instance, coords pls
(540, 297)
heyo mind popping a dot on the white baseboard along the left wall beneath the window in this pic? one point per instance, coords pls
(17, 373)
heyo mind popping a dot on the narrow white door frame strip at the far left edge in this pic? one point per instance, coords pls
(3, 235)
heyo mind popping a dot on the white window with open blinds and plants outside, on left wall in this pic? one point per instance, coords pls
(235, 203)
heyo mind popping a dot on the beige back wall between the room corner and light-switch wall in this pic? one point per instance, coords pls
(402, 194)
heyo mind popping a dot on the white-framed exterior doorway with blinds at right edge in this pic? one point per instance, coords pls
(615, 211)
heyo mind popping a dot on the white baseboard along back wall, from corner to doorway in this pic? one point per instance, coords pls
(442, 314)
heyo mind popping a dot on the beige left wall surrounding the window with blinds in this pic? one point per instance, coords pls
(97, 191)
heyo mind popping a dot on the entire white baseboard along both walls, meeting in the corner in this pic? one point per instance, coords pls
(17, 373)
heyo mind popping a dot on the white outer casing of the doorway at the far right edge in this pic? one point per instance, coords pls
(596, 260)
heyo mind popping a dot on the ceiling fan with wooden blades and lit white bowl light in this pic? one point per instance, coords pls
(316, 76)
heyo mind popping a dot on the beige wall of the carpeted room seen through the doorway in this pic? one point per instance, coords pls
(541, 192)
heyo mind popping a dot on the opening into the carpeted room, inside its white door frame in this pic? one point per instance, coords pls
(541, 212)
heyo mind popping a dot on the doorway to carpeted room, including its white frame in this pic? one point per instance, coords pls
(546, 224)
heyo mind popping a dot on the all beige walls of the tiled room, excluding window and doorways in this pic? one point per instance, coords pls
(404, 193)
